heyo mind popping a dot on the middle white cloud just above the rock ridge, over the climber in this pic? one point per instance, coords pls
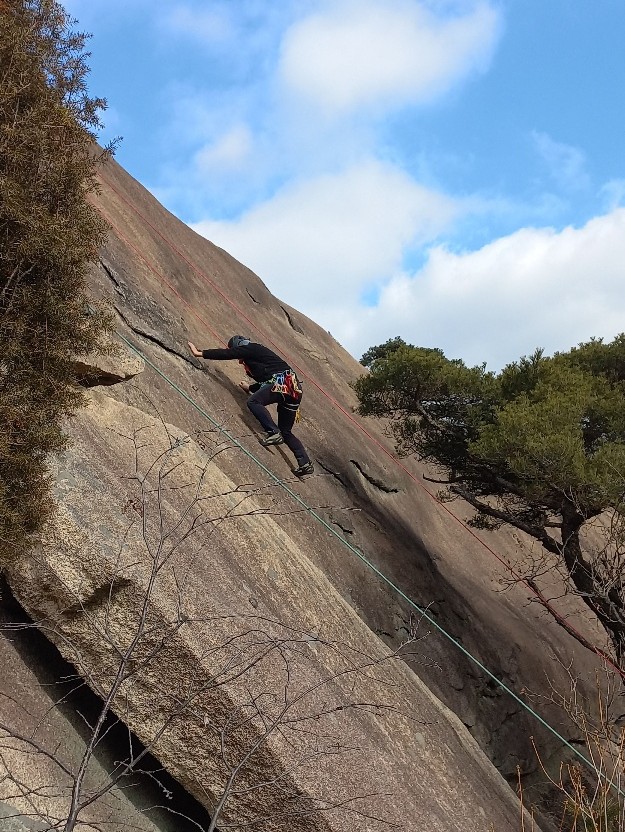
(322, 241)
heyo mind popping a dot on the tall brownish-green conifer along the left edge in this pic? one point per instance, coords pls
(49, 232)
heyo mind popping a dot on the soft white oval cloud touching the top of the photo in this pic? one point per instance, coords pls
(362, 53)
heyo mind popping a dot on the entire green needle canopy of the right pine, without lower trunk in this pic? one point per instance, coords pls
(542, 427)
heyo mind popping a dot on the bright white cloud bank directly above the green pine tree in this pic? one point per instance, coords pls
(533, 288)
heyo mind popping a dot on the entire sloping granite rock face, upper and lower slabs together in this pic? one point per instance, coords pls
(252, 635)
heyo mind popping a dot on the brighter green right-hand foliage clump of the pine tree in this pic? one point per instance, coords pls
(559, 438)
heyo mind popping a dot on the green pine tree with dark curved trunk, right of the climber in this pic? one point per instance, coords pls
(539, 446)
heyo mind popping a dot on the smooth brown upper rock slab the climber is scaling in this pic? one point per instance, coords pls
(178, 286)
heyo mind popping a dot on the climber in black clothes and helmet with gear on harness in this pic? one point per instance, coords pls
(274, 383)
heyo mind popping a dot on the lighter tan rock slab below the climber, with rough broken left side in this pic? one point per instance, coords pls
(90, 578)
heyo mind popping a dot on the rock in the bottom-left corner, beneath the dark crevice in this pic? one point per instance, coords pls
(36, 703)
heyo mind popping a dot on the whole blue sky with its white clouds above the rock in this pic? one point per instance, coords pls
(452, 171)
